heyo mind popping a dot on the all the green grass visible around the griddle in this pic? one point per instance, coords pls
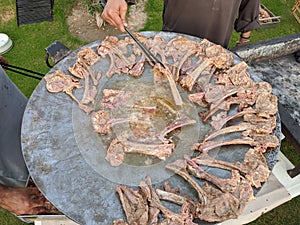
(30, 42)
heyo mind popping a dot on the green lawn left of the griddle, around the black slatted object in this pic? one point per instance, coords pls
(31, 40)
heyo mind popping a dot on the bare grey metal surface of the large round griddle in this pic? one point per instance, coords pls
(65, 157)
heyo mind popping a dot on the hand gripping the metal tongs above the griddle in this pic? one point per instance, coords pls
(115, 13)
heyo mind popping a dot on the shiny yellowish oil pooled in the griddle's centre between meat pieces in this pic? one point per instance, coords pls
(146, 94)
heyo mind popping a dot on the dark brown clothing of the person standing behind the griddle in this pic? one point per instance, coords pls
(210, 19)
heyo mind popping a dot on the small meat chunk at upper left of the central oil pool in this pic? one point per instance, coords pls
(113, 98)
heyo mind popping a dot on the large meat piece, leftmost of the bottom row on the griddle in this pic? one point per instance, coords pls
(134, 205)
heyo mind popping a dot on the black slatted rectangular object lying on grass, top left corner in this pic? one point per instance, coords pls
(34, 11)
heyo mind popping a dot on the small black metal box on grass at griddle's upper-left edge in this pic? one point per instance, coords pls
(56, 51)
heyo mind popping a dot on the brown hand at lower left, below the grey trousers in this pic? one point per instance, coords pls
(23, 201)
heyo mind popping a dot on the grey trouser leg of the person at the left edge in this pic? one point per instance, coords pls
(13, 171)
